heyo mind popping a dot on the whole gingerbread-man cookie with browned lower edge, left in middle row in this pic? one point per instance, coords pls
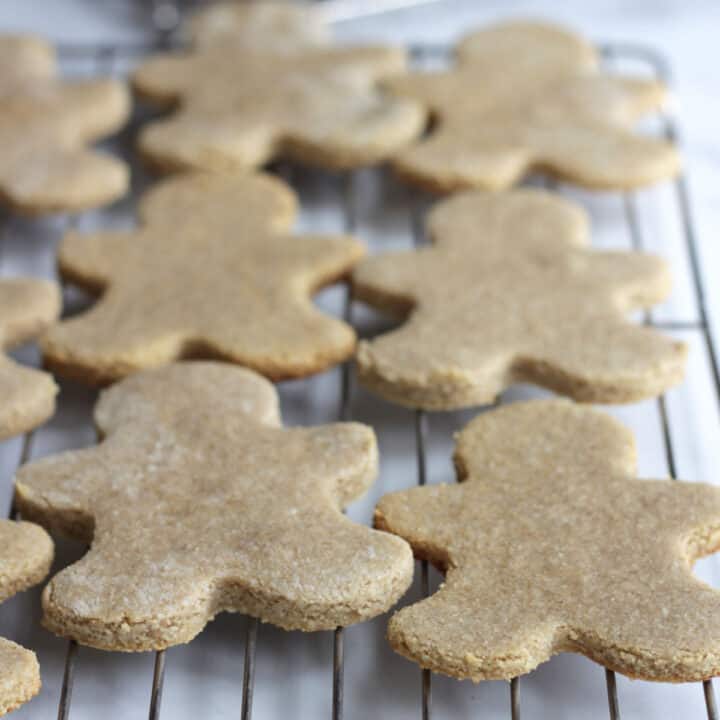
(213, 272)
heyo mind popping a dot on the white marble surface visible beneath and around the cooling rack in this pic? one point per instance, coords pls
(294, 670)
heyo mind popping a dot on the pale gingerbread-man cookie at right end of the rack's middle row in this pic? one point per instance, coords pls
(509, 292)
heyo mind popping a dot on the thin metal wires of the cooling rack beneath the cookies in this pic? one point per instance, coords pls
(105, 58)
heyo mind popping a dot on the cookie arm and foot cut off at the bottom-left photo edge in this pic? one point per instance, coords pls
(26, 553)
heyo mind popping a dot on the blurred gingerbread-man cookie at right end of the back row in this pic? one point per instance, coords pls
(527, 96)
